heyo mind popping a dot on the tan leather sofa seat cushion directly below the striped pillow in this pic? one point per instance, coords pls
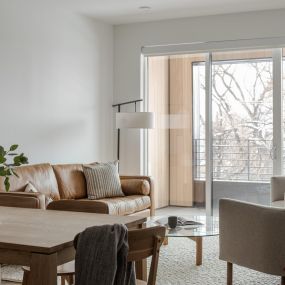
(126, 205)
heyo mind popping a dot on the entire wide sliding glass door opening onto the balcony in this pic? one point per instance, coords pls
(224, 131)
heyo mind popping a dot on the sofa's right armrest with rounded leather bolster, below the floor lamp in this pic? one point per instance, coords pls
(138, 185)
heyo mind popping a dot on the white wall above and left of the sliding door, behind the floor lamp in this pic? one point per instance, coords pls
(131, 37)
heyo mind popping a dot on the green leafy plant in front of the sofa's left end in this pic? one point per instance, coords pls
(9, 160)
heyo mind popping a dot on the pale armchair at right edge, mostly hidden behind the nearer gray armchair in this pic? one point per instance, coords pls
(277, 191)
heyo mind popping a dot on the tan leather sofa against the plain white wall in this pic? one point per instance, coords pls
(66, 185)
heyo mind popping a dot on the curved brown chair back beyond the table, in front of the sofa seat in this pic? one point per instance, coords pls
(87, 206)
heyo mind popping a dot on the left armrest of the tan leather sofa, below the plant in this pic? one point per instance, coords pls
(22, 200)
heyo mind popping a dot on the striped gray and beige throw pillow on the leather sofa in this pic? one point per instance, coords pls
(103, 180)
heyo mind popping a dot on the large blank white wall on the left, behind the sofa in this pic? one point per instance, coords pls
(56, 84)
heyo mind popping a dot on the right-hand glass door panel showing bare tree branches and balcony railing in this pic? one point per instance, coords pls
(242, 125)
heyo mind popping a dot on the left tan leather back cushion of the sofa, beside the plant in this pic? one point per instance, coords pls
(40, 175)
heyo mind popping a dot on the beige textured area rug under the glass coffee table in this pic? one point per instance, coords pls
(177, 267)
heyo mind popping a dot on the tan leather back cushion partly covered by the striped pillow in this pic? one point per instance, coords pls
(71, 181)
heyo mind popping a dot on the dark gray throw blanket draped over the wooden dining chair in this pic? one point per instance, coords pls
(101, 256)
